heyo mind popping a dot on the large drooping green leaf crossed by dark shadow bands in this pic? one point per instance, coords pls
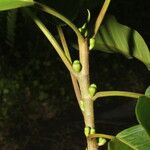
(115, 37)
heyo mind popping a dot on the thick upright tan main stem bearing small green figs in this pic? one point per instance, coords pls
(84, 83)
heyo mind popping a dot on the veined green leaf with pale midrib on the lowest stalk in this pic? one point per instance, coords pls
(134, 138)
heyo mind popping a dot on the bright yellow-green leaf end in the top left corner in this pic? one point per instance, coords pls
(12, 4)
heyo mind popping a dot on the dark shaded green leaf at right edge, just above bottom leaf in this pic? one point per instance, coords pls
(142, 112)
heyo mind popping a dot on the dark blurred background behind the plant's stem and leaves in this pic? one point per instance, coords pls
(38, 108)
